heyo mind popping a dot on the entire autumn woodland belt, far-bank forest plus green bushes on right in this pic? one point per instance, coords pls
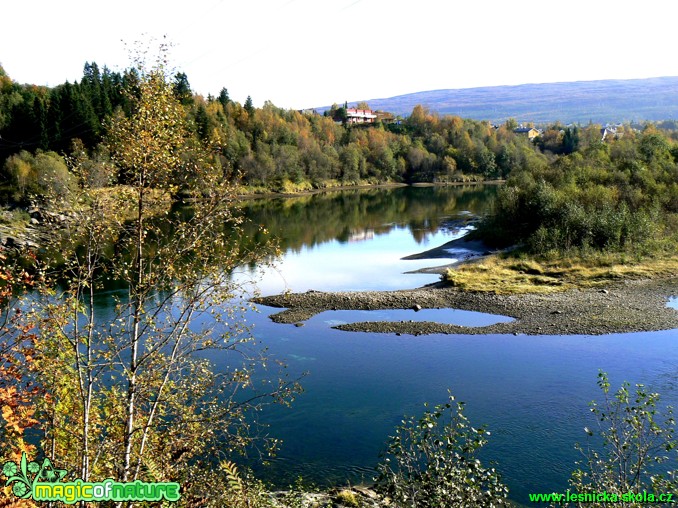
(567, 188)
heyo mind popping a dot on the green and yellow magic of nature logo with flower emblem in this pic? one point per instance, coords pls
(43, 482)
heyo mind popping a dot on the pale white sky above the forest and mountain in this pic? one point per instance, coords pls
(310, 53)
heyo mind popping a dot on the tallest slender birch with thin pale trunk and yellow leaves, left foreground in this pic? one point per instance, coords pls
(192, 265)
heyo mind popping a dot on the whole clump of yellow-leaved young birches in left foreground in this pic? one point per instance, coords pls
(131, 393)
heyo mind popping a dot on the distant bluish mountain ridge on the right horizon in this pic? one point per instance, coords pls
(606, 101)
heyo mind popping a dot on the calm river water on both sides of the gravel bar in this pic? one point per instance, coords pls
(530, 391)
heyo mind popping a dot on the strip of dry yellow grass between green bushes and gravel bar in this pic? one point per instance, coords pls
(507, 275)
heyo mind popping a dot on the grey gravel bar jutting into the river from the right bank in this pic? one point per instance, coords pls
(624, 306)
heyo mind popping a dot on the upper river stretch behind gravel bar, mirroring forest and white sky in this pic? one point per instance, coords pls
(355, 240)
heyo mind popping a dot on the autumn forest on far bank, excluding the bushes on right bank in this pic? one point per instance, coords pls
(267, 148)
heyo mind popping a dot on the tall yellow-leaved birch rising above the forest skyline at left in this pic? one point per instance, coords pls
(176, 266)
